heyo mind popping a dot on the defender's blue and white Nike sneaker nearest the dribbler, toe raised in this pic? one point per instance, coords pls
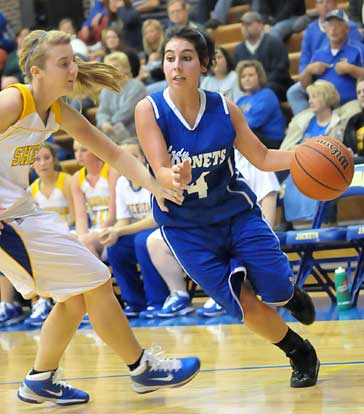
(155, 372)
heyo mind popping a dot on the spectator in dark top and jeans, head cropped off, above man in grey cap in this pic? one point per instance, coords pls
(279, 16)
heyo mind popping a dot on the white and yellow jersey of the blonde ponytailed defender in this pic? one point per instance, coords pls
(18, 146)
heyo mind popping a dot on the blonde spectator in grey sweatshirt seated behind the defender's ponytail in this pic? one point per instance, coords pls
(115, 115)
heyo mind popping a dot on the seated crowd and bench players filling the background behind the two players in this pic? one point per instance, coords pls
(112, 215)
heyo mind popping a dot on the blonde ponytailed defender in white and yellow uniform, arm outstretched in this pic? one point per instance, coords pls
(37, 252)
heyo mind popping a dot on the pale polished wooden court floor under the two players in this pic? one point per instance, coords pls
(240, 373)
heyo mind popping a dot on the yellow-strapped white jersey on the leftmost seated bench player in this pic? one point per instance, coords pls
(56, 201)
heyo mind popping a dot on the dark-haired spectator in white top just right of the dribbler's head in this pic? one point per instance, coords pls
(222, 77)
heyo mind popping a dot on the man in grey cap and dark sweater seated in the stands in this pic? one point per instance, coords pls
(267, 49)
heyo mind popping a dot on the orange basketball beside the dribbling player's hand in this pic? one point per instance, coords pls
(322, 168)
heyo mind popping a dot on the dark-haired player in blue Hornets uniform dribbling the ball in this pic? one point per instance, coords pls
(218, 234)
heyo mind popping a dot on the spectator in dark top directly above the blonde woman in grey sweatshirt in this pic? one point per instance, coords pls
(112, 39)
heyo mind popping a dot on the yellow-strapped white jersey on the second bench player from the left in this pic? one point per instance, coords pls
(97, 197)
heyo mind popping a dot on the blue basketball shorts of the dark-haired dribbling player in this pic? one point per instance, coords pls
(217, 256)
